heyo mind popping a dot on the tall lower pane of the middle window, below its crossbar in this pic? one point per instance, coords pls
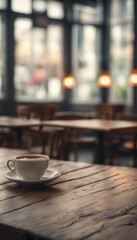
(85, 55)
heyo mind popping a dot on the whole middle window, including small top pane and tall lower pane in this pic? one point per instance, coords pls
(86, 43)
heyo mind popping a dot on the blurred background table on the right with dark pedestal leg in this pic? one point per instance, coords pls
(99, 127)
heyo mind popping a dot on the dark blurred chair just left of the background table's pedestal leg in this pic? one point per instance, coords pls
(75, 138)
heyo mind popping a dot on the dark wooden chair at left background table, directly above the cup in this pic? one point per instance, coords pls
(42, 135)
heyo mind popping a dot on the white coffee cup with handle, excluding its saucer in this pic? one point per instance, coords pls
(29, 167)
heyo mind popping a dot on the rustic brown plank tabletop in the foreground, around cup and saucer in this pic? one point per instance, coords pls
(86, 202)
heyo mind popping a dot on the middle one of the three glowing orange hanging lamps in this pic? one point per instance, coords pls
(104, 80)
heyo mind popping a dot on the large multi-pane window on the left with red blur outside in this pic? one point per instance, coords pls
(38, 50)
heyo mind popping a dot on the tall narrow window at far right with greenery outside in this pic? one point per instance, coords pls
(121, 49)
